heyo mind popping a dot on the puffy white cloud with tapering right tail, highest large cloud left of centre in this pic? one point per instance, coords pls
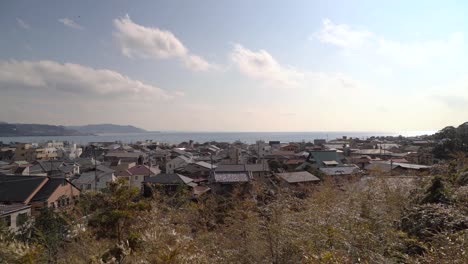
(153, 43)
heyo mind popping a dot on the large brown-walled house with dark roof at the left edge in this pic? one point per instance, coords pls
(37, 191)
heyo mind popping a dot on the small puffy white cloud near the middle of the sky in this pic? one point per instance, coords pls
(262, 66)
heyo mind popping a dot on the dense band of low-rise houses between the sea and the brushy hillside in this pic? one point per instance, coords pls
(53, 174)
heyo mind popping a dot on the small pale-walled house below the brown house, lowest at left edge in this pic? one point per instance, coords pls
(14, 215)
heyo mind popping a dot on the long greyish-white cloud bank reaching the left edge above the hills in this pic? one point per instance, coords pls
(56, 78)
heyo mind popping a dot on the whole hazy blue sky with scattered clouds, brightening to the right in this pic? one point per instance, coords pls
(236, 65)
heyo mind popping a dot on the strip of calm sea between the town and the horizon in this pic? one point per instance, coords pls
(201, 137)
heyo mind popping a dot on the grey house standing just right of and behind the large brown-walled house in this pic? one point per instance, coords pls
(95, 180)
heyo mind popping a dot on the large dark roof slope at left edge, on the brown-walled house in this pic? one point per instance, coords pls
(15, 188)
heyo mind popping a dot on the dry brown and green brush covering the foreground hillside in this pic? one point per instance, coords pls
(367, 220)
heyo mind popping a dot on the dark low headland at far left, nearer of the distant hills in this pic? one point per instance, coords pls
(19, 130)
